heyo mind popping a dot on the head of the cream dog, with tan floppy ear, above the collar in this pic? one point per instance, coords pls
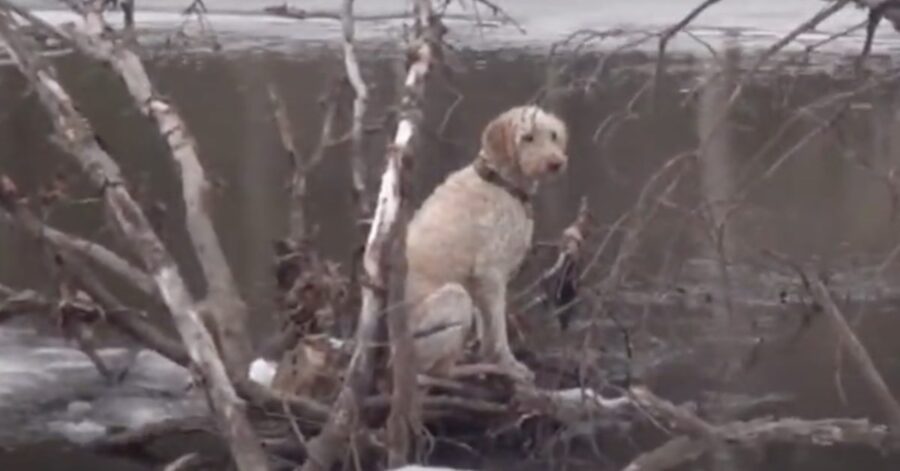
(528, 139)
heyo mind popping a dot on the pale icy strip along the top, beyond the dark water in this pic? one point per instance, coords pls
(544, 21)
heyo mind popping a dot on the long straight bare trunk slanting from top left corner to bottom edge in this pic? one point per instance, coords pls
(80, 142)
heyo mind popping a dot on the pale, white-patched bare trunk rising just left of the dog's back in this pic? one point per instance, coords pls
(325, 448)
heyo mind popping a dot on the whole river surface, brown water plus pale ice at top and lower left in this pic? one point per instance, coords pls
(825, 200)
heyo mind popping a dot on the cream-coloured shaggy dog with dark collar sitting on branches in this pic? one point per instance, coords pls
(471, 235)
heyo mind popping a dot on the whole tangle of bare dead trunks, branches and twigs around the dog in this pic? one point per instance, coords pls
(338, 400)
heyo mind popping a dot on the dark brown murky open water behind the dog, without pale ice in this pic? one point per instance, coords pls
(697, 332)
